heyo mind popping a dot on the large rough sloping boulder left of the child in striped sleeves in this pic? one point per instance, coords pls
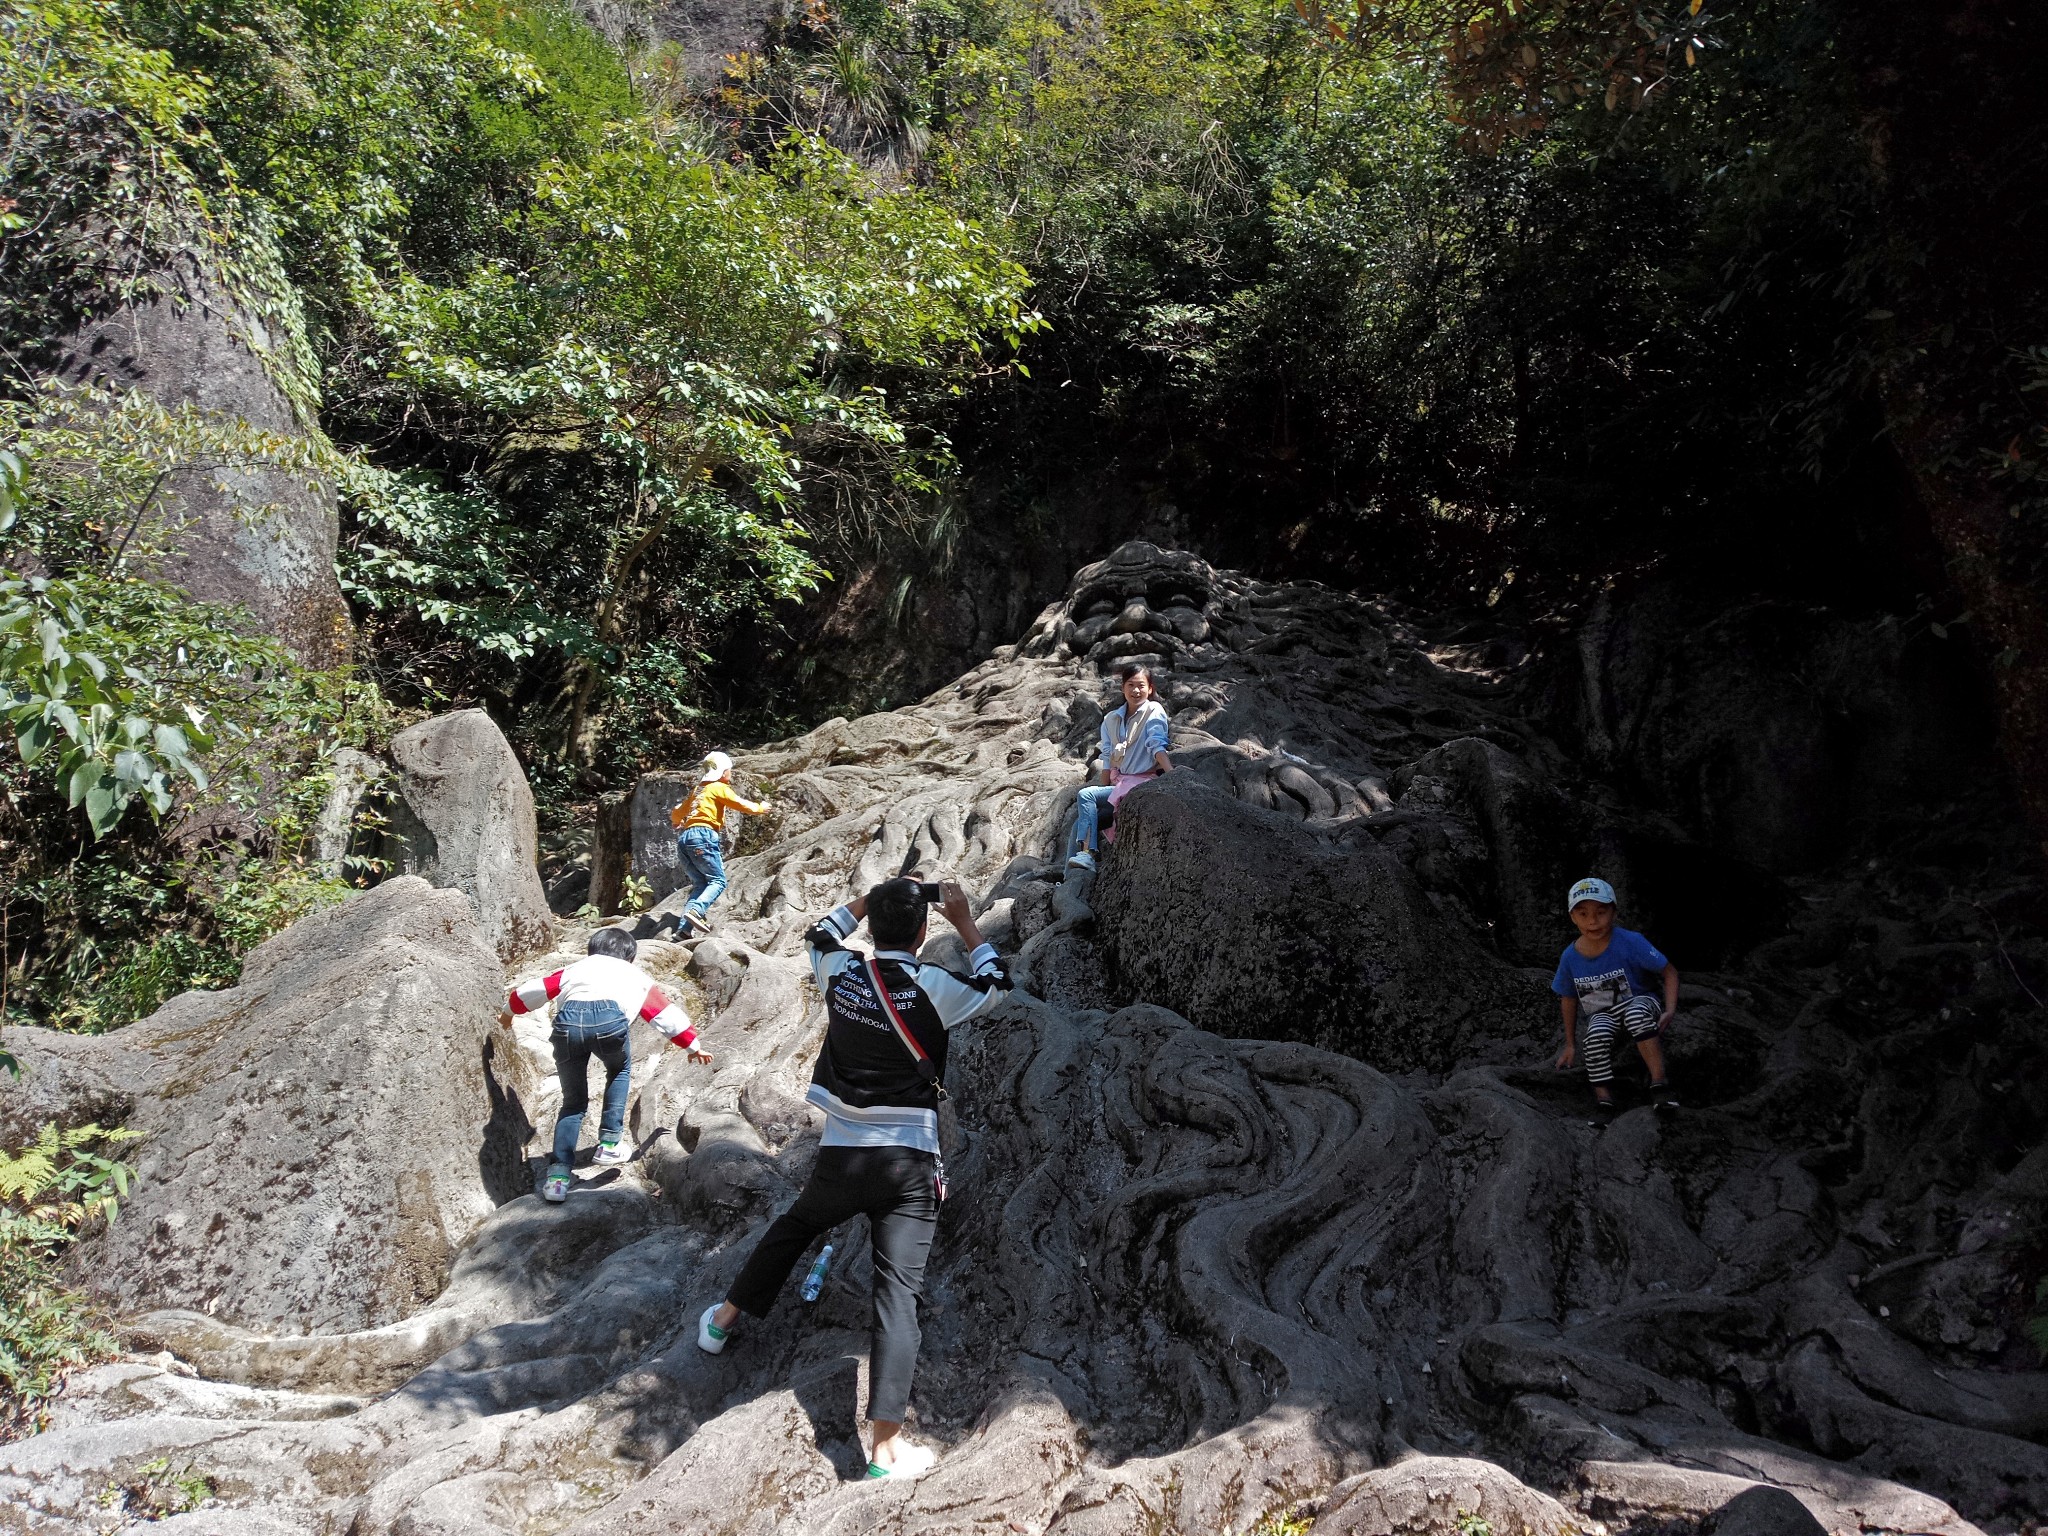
(321, 1140)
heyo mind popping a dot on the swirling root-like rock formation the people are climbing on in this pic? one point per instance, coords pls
(1271, 1205)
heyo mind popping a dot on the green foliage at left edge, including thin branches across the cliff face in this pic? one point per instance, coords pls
(165, 763)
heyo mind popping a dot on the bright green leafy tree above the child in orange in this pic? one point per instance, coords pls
(703, 341)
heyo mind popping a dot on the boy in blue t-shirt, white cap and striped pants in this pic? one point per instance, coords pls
(1605, 984)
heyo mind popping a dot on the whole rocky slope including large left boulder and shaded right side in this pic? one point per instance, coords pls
(1273, 1205)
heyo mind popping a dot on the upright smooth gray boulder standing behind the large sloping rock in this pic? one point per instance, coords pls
(464, 818)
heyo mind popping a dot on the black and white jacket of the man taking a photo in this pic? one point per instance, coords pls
(865, 1080)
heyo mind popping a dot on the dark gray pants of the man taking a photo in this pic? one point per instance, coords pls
(892, 1187)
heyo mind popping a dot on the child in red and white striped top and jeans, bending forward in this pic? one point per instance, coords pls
(595, 1007)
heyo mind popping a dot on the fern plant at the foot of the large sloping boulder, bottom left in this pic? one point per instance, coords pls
(50, 1193)
